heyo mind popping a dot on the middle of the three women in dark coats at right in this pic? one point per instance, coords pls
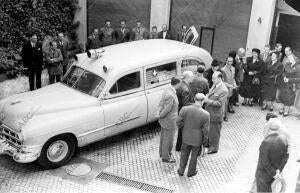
(273, 71)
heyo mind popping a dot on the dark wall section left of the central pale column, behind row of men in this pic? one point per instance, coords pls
(116, 10)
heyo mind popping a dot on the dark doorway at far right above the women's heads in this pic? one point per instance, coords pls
(288, 31)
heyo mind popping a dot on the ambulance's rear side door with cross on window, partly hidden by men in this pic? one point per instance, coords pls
(157, 78)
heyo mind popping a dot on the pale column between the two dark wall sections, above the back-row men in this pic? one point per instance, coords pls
(160, 13)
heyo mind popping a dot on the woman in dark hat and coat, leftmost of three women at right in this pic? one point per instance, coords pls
(251, 86)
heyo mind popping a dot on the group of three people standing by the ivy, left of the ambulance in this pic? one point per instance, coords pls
(55, 58)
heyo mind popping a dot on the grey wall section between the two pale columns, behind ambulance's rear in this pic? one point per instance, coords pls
(230, 19)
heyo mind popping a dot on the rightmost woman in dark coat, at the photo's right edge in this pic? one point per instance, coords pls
(289, 81)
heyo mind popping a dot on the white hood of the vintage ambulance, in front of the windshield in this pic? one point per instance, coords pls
(17, 110)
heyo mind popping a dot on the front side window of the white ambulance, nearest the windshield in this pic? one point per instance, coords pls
(127, 82)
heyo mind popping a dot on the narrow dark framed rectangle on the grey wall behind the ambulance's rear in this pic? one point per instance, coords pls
(207, 36)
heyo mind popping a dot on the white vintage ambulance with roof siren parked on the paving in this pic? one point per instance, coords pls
(105, 92)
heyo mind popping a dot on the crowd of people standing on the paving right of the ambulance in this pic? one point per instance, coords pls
(197, 104)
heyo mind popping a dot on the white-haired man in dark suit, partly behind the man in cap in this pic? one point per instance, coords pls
(185, 97)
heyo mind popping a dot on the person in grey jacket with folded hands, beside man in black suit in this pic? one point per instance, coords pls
(54, 59)
